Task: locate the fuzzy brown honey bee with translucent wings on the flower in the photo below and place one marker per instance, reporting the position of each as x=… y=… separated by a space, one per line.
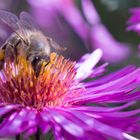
x=26 y=39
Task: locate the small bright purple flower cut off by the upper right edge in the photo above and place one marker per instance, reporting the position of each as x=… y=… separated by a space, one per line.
x=134 y=20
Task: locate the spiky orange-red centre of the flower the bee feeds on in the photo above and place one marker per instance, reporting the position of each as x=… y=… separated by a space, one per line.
x=19 y=83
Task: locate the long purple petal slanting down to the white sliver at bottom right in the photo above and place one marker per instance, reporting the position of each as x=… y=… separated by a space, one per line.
x=91 y=123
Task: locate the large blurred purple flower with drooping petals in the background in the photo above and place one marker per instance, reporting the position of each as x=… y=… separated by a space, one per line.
x=53 y=16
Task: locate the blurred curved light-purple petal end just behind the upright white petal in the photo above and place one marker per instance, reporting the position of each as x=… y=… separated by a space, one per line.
x=102 y=39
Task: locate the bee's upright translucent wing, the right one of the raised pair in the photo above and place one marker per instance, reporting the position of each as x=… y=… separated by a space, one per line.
x=28 y=22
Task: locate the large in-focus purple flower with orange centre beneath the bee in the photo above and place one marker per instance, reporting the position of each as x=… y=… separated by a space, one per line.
x=58 y=99
